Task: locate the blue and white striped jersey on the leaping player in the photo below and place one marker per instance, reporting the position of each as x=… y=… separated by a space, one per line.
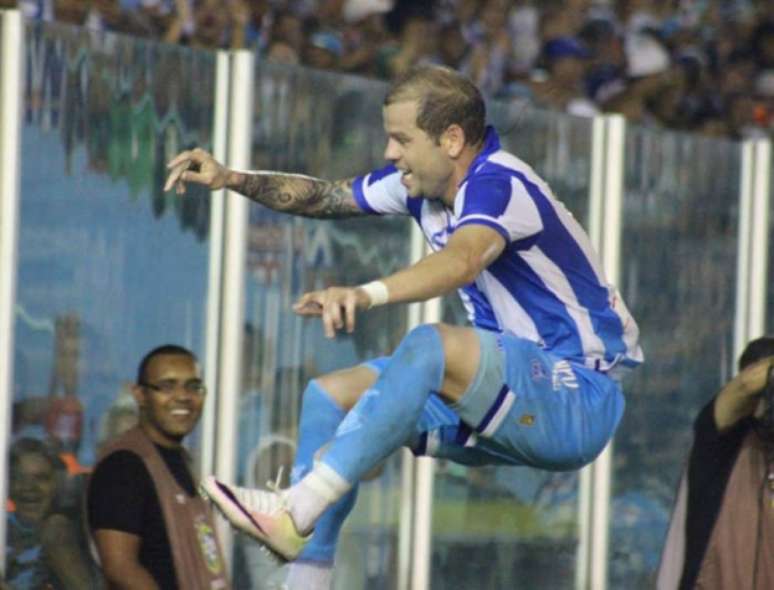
x=547 y=285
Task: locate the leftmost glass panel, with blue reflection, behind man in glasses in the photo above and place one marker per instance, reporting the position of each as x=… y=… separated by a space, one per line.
x=109 y=266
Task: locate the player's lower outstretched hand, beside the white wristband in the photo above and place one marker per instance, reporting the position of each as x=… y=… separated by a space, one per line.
x=336 y=306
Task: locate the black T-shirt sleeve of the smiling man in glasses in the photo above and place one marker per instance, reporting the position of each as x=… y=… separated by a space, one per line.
x=118 y=492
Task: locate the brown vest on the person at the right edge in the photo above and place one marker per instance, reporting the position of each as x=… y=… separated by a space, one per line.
x=741 y=547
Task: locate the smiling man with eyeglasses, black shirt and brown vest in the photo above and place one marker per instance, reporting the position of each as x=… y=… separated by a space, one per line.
x=151 y=529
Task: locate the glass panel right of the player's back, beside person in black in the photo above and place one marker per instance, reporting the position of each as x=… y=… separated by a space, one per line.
x=678 y=278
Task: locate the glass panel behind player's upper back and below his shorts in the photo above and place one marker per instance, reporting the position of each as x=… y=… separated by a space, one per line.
x=515 y=527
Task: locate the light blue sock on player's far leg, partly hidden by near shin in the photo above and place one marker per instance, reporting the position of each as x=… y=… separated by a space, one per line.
x=320 y=417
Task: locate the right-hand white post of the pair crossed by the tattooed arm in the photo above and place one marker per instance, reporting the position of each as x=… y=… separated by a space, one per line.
x=234 y=259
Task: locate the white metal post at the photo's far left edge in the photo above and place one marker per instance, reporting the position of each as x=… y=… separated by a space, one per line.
x=11 y=85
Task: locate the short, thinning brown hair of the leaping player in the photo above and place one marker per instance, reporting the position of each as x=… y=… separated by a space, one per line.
x=445 y=98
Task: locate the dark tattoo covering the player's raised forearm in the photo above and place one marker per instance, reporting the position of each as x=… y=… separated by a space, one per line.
x=301 y=195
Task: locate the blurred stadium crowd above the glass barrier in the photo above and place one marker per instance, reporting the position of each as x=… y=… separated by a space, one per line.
x=698 y=65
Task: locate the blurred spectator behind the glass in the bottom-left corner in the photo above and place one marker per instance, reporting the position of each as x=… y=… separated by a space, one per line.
x=44 y=548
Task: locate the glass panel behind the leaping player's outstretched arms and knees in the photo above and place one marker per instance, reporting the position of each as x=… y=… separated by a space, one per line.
x=327 y=126
